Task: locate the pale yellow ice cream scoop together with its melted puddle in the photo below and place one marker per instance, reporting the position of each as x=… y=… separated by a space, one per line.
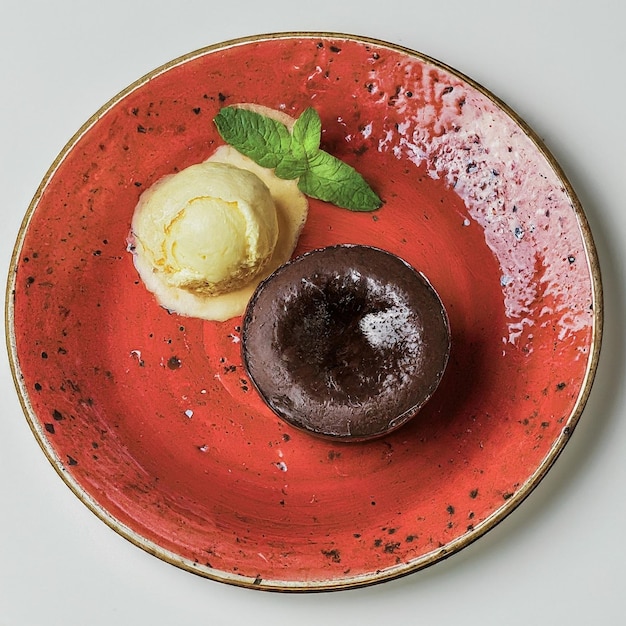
x=204 y=237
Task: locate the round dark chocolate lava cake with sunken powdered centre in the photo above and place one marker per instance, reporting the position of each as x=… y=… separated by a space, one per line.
x=347 y=342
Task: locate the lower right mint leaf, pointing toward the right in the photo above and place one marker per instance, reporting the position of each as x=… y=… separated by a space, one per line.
x=330 y=179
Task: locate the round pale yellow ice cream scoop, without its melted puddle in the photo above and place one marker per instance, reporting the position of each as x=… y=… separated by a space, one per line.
x=208 y=229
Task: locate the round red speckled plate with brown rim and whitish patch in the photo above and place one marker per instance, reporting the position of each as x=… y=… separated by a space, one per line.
x=148 y=416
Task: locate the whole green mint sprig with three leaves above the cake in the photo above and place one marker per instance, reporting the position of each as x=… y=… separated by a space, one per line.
x=297 y=154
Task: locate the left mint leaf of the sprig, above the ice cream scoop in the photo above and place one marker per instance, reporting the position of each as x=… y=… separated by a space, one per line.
x=260 y=138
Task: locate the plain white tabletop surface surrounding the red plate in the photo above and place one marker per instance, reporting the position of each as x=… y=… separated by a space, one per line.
x=559 y=558
